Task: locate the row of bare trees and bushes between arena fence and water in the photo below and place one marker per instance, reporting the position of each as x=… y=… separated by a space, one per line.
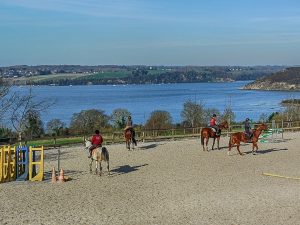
x=24 y=112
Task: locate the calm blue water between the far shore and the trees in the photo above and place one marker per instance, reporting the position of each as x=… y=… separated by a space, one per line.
x=141 y=100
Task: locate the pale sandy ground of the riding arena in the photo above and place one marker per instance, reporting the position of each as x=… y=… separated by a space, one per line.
x=171 y=182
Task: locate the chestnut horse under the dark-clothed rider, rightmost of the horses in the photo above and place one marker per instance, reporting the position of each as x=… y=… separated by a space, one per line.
x=236 y=138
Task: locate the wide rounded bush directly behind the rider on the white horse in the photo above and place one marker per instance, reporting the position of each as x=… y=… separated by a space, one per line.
x=87 y=121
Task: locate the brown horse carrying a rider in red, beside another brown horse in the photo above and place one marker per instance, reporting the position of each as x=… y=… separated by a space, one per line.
x=208 y=132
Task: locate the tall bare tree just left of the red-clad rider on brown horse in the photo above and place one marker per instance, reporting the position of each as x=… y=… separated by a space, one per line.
x=193 y=113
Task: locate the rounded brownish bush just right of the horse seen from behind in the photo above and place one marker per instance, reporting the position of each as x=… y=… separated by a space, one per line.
x=159 y=120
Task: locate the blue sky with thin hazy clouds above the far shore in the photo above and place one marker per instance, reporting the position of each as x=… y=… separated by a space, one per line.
x=150 y=32
